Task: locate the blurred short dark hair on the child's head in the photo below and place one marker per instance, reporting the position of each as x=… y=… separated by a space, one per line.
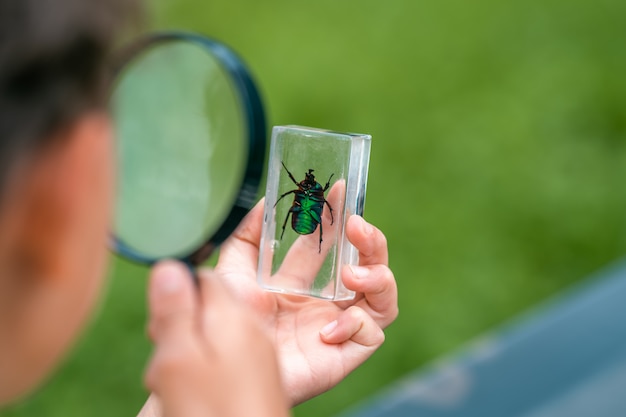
x=53 y=66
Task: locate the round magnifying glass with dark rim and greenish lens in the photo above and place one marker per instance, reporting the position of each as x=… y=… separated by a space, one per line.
x=191 y=137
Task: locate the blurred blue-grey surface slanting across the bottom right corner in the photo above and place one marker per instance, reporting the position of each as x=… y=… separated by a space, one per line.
x=564 y=359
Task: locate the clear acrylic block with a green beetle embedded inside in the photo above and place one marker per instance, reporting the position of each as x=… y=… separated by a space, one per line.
x=303 y=245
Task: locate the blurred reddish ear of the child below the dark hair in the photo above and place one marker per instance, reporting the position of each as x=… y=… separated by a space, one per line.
x=50 y=189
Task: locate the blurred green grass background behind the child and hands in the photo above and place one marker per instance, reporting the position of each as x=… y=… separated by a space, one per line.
x=497 y=168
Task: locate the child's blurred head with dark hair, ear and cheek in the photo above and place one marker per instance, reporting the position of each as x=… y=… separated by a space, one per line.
x=55 y=176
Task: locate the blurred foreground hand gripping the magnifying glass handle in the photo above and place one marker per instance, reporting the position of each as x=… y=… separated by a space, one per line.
x=211 y=357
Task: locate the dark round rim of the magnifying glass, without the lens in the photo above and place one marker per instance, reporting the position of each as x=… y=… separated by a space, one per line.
x=250 y=100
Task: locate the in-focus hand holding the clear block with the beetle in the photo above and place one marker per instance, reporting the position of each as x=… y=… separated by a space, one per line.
x=318 y=342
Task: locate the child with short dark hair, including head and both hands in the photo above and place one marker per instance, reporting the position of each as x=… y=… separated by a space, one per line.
x=232 y=349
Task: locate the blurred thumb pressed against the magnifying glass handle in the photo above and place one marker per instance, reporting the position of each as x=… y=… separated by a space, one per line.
x=173 y=303
